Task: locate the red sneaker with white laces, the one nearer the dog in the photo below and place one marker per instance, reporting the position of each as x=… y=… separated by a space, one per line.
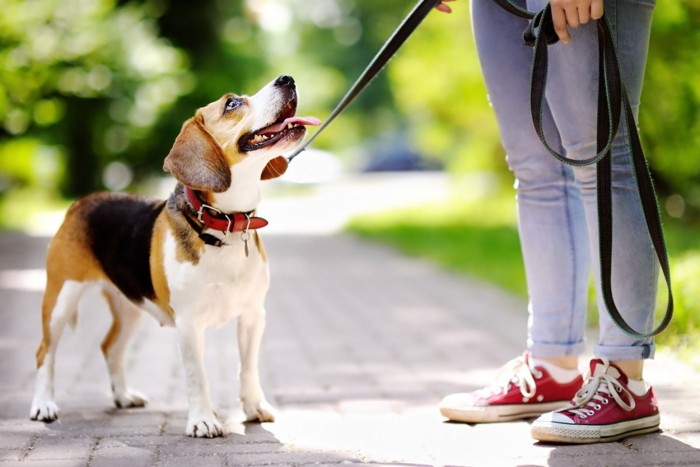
x=522 y=390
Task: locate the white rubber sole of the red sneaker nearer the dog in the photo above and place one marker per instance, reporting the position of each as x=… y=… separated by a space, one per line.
x=500 y=413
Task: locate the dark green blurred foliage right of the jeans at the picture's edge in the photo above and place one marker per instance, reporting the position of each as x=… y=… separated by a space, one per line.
x=670 y=110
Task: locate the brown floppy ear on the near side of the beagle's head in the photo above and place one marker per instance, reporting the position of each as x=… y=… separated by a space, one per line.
x=197 y=160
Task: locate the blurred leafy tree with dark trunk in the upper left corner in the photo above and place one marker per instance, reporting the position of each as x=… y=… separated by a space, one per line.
x=86 y=76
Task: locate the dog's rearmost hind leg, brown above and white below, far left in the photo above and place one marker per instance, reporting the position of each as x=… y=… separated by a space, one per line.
x=59 y=306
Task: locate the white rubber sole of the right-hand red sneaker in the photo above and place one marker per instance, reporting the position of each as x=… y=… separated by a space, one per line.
x=587 y=434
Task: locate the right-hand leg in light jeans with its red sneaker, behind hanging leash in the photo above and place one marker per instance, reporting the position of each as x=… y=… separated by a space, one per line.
x=614 y=403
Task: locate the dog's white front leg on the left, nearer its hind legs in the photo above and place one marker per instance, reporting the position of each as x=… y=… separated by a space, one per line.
x=201 y=419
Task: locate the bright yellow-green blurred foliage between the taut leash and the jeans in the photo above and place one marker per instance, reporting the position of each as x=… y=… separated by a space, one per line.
x=439 y=87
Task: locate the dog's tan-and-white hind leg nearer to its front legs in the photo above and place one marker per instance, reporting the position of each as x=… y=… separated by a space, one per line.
x=125 y=320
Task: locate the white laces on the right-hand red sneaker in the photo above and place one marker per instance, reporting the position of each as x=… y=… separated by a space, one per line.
x=600 y=387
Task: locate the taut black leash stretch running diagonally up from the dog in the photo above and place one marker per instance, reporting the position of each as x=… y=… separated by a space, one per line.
x=395 y=41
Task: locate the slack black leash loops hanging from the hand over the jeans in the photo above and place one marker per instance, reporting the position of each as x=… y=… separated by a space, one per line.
x=612 y=101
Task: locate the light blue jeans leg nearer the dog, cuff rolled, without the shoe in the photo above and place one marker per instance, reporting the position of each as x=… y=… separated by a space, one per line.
x=551 y=219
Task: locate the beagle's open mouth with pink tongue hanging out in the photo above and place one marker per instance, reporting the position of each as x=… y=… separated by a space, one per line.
x=286 y=127
